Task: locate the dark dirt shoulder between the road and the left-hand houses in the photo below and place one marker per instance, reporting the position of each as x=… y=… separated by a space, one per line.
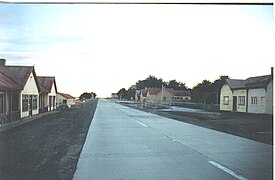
x=48 y=147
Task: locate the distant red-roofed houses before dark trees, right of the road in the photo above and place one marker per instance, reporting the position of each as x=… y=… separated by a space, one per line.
x=162 y=95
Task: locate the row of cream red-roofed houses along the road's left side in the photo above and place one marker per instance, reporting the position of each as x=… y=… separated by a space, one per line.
x=24 y=94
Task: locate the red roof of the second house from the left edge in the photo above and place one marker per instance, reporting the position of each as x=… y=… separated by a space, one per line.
x=46 y=83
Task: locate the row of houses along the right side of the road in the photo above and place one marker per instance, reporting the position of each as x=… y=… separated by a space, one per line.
x=251 y=95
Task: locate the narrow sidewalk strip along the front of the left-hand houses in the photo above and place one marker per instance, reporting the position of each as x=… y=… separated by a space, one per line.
x=20 y=122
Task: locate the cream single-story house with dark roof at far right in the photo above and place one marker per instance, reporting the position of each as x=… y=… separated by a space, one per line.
x=252 y=95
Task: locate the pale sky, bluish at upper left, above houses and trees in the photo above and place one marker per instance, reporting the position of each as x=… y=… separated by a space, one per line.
x=102 y=48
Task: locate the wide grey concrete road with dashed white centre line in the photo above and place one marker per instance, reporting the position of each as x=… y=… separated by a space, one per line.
x=124 y=143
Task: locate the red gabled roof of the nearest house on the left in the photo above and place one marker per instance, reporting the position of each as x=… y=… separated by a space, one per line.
x=18 y=74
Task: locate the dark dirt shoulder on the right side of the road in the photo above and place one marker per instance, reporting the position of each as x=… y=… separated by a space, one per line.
x=252 y=126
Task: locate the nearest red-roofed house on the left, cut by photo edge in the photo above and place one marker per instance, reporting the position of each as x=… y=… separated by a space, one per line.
x=19 y=92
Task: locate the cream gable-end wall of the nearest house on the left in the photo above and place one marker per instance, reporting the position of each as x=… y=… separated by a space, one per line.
x=30 y=89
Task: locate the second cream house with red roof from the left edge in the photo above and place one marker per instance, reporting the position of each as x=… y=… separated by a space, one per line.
x=48 y=93
